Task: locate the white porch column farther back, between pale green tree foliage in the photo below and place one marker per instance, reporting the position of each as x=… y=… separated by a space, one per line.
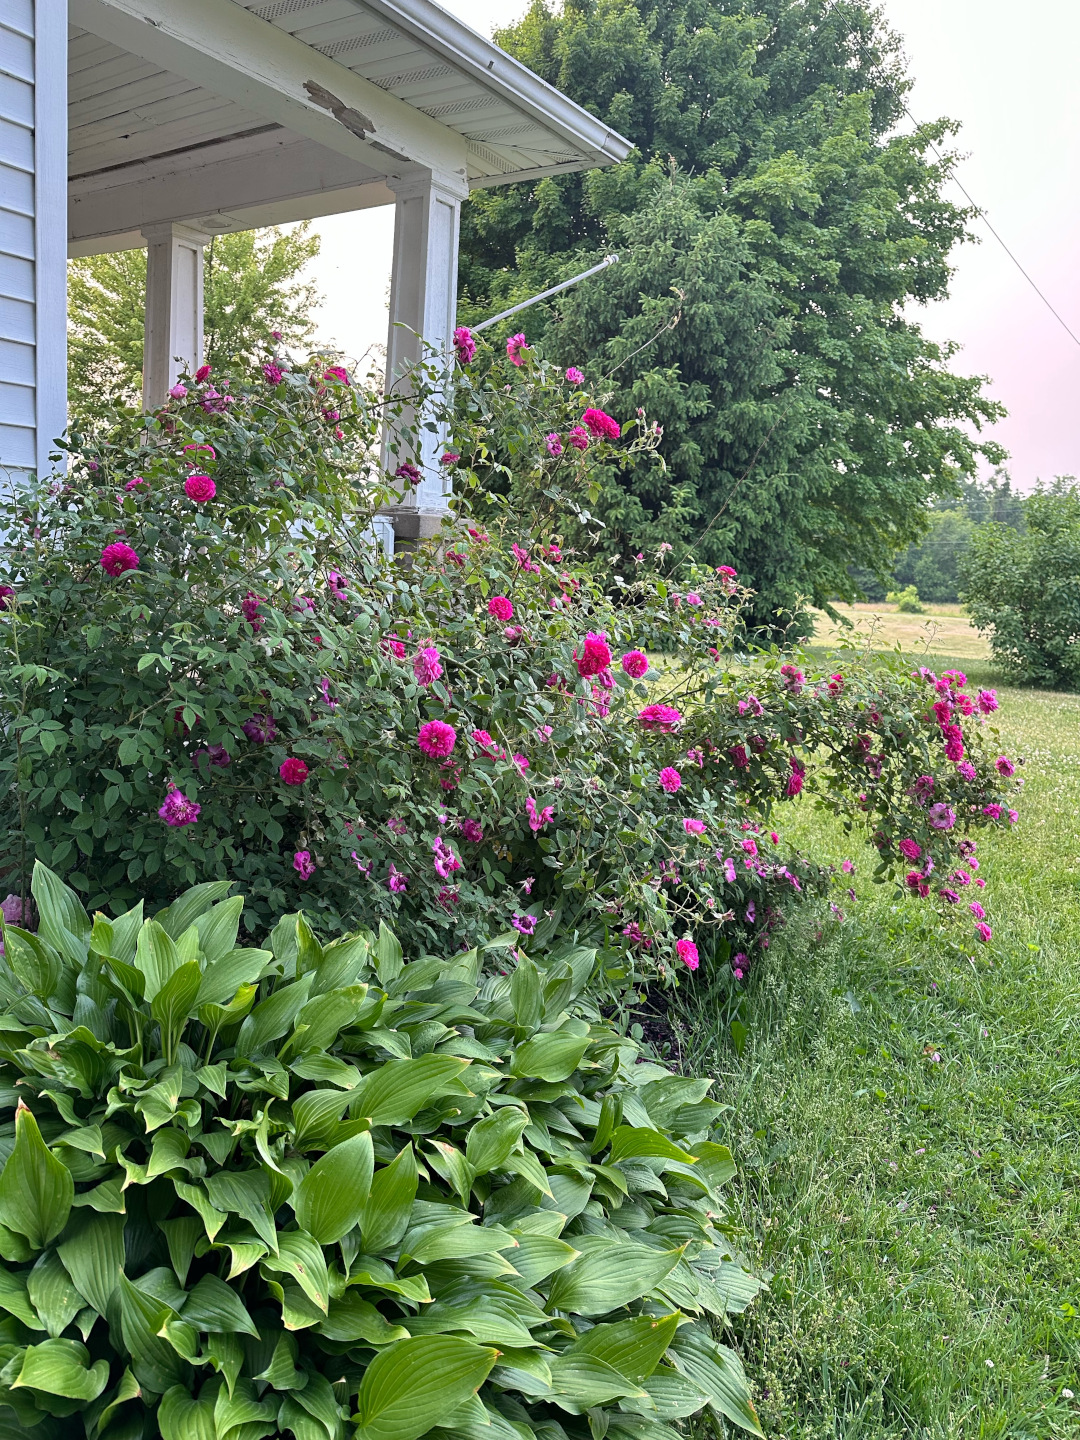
x=174 y=338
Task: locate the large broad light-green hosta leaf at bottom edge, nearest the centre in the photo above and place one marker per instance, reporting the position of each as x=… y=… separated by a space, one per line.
x=414 y=1385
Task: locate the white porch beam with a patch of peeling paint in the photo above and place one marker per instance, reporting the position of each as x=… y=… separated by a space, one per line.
x=246 y=60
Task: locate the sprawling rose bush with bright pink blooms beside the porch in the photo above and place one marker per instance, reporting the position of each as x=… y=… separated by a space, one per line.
x=470 y=744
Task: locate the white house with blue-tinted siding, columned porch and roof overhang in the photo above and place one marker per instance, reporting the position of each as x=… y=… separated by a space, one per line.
x=162 y=123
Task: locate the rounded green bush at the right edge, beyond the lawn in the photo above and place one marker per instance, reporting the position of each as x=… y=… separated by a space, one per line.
x=1023 y=590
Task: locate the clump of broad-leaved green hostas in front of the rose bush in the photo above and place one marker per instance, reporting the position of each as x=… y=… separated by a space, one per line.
x=366 y=1192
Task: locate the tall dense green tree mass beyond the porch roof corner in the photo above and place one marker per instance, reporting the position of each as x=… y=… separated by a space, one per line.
x=781 y=230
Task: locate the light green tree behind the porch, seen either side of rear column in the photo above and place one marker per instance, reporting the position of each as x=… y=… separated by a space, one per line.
x=254 y=284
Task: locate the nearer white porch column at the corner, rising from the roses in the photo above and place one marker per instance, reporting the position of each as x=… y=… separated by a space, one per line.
x=424 y=289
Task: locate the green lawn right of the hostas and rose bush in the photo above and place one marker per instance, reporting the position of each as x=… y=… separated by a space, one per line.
x=906 y=1120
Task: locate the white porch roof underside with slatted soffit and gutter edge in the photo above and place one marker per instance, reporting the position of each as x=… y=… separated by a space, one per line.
x=155 y=117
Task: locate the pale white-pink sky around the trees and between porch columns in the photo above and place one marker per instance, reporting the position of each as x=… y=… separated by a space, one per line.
x=1009 y=77
